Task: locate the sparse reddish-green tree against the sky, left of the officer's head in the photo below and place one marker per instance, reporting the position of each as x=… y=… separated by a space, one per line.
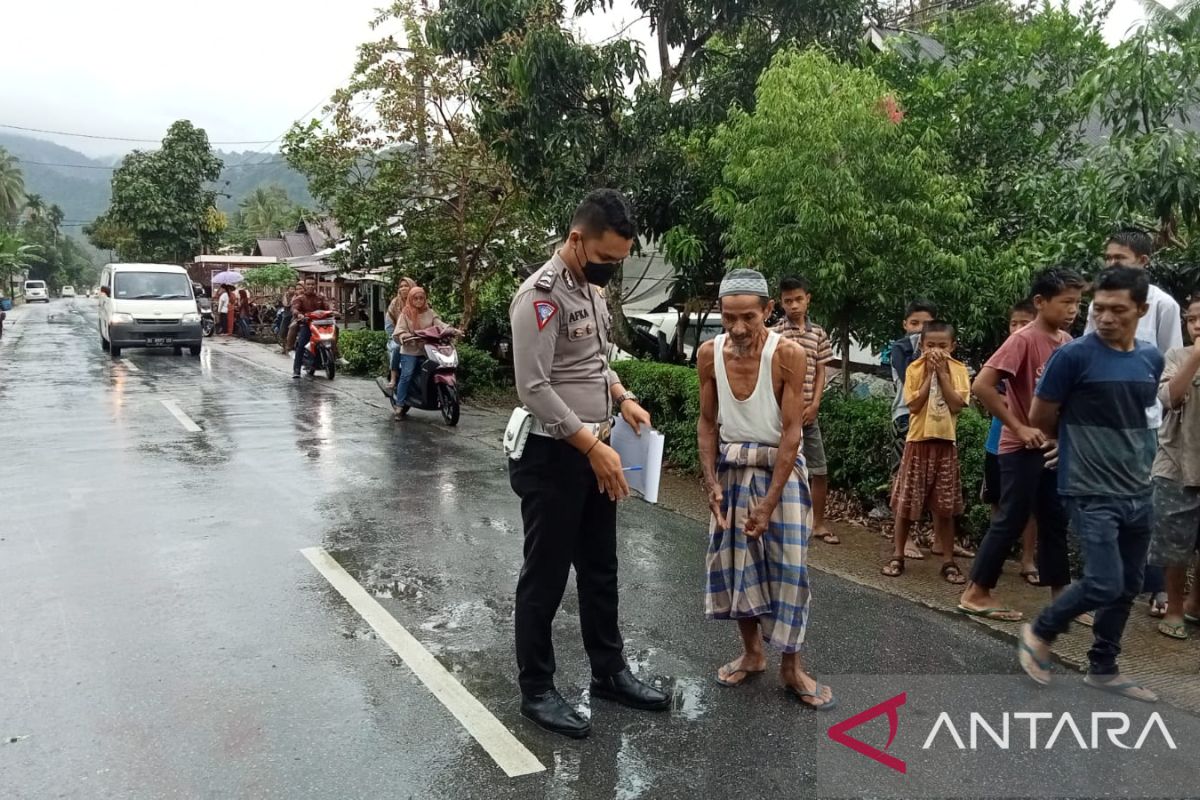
x=415 y=185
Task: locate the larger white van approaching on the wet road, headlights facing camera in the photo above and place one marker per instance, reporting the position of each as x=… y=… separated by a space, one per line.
x=148 y=305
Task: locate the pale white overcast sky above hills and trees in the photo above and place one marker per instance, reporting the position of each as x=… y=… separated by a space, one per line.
x=243 y=70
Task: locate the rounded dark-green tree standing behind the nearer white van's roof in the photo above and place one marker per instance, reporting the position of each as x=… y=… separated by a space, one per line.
x=161 y=204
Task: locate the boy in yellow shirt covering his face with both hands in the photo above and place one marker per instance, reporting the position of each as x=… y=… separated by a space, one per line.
x=937 y=388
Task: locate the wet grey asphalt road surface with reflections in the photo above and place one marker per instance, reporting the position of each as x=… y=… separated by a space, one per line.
x=161 y=636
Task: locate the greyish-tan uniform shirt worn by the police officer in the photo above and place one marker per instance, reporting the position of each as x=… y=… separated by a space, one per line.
x=561 y=328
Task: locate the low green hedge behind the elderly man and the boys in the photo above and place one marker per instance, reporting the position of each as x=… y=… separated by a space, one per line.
x=857 y=435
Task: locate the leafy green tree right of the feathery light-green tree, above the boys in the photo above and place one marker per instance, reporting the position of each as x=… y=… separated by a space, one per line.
x=1005 y=104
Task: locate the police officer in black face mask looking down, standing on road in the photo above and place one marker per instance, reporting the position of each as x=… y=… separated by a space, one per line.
x=569 y=479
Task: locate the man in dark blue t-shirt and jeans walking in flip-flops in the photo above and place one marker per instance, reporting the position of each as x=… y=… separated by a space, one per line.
x=1099 y=399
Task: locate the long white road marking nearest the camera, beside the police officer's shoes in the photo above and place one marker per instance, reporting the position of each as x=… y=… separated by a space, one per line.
x=506 y=750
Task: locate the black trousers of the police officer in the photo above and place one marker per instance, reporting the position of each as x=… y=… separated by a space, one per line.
x=567 y=522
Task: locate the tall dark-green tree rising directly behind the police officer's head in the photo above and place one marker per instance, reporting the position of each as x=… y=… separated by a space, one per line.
x=562 y=113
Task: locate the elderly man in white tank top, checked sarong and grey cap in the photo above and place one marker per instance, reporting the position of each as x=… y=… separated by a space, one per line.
x=752 y=386
